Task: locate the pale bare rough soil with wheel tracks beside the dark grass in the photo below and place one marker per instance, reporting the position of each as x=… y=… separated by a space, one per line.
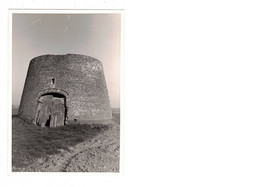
x=98 y=154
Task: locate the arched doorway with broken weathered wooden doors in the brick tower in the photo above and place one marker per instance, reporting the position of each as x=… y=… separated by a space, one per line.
x=51 y=110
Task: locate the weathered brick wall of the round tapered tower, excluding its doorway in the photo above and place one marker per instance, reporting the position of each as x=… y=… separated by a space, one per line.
x=79 y=78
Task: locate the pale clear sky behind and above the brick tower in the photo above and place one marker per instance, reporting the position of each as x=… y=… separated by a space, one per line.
x=96 y=35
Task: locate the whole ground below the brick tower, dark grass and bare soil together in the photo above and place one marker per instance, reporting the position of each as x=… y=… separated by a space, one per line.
x=70 y=147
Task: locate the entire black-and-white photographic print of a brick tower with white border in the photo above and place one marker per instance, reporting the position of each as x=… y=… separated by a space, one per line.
x=66 y=91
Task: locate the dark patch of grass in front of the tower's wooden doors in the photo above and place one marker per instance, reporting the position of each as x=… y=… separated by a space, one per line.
x=30 y=142
